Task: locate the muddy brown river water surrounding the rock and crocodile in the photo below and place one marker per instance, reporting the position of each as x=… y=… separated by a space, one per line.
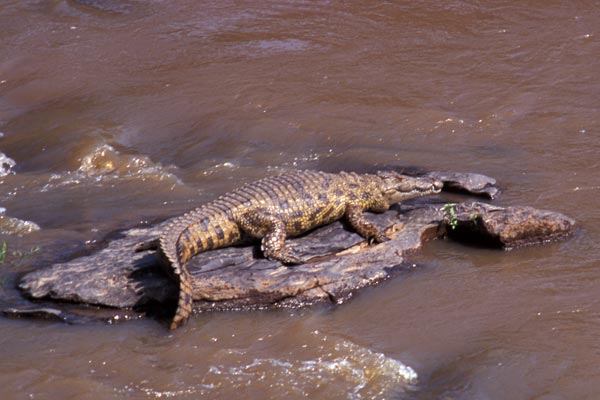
x=113 y=113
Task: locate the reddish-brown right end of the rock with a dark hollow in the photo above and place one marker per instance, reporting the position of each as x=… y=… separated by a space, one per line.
x=508 y=227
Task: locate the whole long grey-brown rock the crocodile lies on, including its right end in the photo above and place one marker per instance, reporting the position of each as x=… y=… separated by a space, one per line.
x=339 y=260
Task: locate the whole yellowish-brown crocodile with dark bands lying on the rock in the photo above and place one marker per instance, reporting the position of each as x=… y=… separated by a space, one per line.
x=275 y=208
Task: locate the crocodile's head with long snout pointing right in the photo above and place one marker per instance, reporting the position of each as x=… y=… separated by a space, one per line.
x=398 y=187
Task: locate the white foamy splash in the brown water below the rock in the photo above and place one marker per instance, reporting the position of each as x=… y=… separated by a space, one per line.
x=356 y=371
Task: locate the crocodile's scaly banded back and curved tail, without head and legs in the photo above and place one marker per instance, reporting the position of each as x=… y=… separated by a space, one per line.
x=301 y=199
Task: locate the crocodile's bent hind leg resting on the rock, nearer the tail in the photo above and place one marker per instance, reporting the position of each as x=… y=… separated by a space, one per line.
x=271 y=229
